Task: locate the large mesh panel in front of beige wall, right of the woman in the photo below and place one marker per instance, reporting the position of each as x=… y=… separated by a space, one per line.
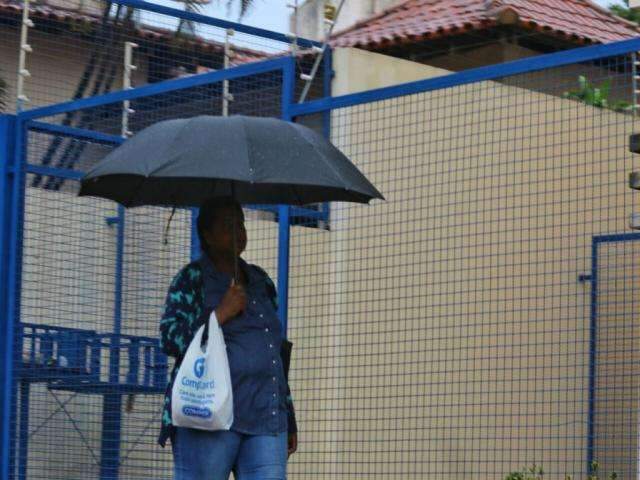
x=444 y=334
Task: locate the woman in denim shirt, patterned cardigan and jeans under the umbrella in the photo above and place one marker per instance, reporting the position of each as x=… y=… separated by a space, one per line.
x=264 y=431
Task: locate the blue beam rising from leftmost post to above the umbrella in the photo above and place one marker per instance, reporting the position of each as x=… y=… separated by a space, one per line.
x=157 y=88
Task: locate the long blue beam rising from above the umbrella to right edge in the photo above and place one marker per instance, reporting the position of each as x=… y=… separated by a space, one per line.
x=491 y=72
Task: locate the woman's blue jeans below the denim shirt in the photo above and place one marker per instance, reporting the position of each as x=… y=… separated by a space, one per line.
x=202 y=455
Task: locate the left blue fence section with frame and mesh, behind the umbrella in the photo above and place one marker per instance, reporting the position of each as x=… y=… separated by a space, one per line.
x=70 y=328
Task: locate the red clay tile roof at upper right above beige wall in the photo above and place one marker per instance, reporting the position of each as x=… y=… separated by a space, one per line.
x=414 y=20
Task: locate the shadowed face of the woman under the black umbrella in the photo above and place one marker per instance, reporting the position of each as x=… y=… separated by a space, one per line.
x=219 y=236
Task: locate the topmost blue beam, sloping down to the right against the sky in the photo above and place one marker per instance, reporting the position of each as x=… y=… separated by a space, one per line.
x=215 y=22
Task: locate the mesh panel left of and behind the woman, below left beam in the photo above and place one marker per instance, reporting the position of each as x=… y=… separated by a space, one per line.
x=90 y=375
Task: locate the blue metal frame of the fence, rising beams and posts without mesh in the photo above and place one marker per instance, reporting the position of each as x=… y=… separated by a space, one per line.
x=14 y=169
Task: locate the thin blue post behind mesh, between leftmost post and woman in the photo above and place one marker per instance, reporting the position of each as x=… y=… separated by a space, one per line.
x=112 y=402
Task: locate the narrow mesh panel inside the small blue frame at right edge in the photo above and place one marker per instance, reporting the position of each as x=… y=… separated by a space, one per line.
x=615 y=324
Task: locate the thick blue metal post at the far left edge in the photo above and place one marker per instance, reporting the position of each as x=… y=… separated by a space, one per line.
x=7 y=155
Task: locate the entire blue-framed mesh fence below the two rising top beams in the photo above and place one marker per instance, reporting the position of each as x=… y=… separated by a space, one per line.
x=440 y=335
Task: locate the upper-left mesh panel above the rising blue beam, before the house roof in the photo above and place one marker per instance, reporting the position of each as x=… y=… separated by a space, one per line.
x=78 y=49
